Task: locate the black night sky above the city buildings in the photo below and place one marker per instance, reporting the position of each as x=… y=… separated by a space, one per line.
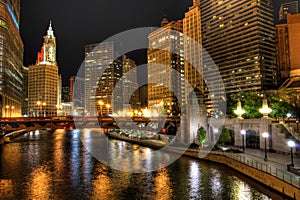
x=77 y=23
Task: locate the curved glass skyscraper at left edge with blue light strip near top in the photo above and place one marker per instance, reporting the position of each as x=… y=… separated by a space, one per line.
x=11 y=59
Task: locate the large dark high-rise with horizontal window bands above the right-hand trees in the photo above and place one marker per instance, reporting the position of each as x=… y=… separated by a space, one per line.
x=240 y=38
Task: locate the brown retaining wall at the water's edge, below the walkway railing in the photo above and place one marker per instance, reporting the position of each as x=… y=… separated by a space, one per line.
x=262 y=177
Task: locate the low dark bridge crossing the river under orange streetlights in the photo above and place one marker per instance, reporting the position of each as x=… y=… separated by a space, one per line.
x=163 y=124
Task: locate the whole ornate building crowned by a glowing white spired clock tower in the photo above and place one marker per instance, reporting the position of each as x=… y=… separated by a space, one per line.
x=43 y=80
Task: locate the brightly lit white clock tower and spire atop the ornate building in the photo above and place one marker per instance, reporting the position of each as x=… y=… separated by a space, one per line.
x=47 y=55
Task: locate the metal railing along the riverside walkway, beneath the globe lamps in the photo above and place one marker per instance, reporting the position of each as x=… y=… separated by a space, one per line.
x=286 y=176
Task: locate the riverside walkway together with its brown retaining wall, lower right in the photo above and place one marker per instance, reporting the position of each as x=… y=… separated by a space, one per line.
x=272 y=173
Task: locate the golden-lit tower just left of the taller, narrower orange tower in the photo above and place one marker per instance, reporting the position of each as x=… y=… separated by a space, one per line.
x=162 y=45
